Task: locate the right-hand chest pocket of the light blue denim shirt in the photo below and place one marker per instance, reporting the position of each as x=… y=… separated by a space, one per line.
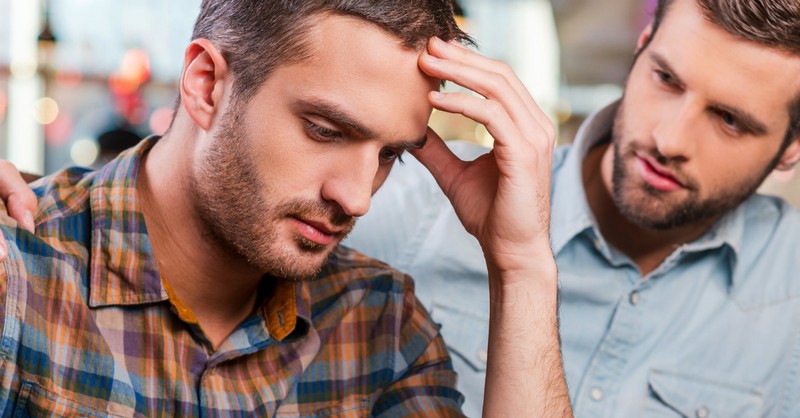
x=680 y=395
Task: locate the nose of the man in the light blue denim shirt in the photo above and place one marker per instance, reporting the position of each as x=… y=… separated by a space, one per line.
x=676 y=130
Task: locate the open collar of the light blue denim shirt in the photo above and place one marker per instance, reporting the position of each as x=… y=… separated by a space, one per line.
x=574 y=215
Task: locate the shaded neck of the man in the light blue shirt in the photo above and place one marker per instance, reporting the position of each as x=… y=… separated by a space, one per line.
x=647 y=248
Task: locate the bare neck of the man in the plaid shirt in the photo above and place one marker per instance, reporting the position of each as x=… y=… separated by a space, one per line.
x=220 y=287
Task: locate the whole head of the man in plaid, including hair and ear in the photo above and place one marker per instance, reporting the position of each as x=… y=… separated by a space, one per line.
x=299 y=122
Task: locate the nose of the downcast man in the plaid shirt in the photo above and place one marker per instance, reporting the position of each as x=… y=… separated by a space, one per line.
x=353 y=181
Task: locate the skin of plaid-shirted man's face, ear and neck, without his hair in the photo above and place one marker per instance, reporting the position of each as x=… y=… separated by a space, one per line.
x=336 y=177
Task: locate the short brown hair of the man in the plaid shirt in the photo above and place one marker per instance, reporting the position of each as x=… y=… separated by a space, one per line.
x=257 y=36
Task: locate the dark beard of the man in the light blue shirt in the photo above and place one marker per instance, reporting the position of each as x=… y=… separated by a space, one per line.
x=657 y=210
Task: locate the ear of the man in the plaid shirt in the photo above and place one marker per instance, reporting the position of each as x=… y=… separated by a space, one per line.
x=203 y=80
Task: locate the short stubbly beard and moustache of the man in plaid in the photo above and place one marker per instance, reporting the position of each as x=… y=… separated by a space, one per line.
x=243 y=215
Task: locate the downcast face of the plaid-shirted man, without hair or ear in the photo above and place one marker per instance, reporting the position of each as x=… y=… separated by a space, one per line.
x=286 y=175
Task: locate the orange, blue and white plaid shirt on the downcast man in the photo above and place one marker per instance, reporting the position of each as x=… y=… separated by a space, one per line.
x=89 y=328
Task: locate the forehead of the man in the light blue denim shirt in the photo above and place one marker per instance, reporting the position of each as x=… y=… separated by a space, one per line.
x=726 y=68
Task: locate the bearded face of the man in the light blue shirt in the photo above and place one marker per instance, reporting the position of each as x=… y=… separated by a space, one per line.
x=701 y=124
